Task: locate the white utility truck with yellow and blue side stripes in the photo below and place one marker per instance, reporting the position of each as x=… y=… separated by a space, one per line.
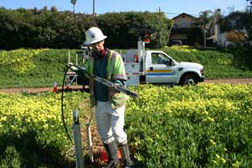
x=156 y=67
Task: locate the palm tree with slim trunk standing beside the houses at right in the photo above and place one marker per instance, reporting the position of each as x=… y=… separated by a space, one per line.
x=205 y=18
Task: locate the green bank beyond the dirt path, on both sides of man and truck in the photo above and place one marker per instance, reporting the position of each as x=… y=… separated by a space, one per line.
x=43 y=67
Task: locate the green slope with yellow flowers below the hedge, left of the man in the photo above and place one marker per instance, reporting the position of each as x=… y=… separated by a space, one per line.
x=32 y=68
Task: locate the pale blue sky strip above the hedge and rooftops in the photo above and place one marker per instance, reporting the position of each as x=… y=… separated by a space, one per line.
x=172 y=8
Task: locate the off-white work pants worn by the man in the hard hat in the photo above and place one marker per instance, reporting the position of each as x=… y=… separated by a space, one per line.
x=110 y=123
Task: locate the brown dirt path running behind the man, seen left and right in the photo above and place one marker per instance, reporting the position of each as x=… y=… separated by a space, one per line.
x=37 y=90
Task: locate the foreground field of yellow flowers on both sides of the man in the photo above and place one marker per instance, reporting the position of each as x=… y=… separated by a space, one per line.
x=207 y=125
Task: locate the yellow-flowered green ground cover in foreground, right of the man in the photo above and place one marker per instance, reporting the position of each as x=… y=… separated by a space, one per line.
x=203 y=126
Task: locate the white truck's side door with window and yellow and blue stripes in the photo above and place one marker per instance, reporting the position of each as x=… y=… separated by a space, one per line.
x=160 y=69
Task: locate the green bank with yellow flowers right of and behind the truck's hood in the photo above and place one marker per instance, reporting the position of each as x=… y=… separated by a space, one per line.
x=217 y=63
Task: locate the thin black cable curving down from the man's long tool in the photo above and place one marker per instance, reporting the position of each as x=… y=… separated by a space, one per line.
x=62 y=104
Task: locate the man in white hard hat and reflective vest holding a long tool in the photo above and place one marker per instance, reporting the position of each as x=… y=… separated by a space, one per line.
x=109 y=104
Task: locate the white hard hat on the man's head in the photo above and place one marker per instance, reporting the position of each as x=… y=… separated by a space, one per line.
x=94 y=35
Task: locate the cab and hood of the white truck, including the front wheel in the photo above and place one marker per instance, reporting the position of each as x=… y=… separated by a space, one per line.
x=161 y=68
